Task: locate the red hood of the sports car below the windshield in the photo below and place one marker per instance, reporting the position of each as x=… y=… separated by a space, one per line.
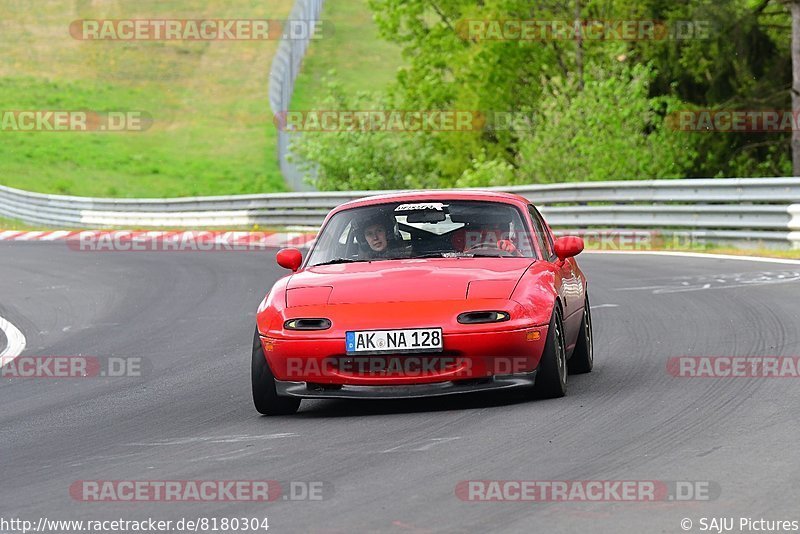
x=406 y=281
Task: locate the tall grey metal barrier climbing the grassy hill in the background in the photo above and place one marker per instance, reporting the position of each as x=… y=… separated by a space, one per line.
x=283 y=73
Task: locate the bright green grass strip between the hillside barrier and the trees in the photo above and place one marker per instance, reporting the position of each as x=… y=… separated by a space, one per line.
x=362 y=61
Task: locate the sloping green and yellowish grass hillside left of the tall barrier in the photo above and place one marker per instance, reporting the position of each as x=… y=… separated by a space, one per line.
x=212 y=131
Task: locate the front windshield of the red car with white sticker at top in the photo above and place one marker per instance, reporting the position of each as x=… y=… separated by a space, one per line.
x=423 y=229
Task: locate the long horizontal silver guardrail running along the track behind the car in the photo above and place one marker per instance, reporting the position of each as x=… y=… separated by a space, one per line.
x=741 y=209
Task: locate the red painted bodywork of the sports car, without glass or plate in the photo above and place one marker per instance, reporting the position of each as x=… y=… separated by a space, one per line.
x=421 y=293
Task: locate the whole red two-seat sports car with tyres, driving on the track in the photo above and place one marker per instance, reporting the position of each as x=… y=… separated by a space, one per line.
x=423 y=294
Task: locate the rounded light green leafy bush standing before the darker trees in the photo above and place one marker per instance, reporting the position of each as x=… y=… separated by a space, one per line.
x=609 y=130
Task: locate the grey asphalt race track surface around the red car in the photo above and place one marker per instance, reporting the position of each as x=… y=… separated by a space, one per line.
x=393 y=466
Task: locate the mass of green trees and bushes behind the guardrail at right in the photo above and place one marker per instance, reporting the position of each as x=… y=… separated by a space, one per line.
x=743 y=64
